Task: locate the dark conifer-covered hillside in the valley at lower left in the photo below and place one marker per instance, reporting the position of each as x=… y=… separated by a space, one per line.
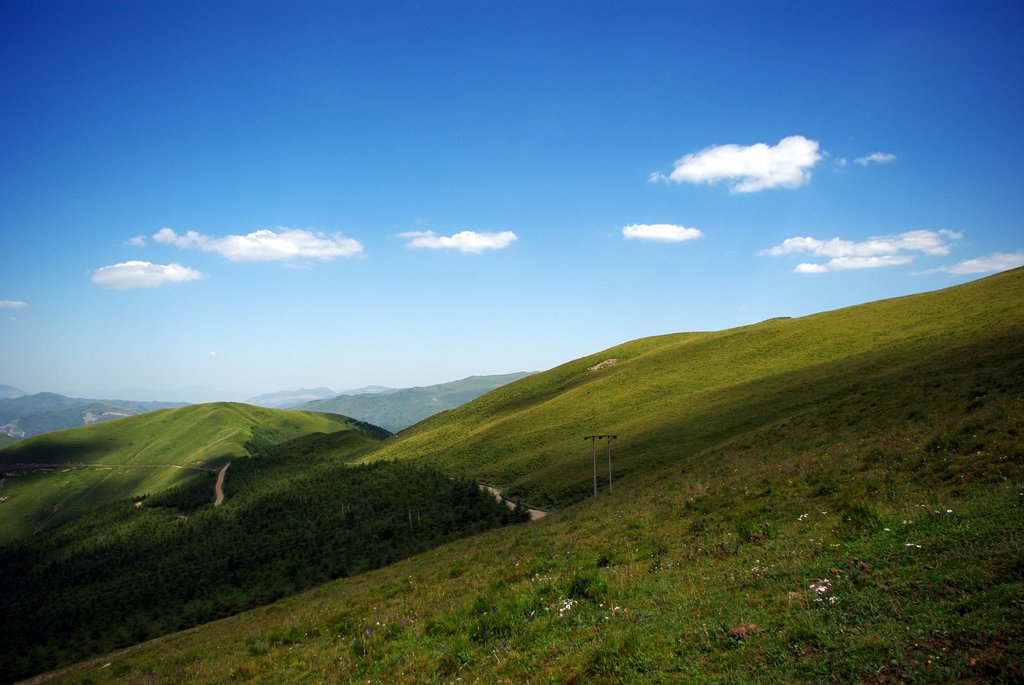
x=294 y=517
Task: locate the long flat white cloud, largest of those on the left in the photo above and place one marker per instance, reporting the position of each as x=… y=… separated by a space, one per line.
x=267 y=245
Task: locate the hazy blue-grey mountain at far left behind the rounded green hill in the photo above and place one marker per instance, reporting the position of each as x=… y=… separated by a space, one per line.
x=25 y=416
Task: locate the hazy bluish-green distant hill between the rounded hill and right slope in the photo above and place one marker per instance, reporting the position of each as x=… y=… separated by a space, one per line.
x=401 y=409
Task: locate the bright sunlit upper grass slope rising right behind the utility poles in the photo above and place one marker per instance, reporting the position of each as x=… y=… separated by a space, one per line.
x=674 y=396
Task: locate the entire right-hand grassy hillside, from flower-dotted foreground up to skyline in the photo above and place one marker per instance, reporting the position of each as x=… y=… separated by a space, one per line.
x=877 y=449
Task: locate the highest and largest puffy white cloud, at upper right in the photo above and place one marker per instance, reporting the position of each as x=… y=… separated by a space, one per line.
x=749 y=169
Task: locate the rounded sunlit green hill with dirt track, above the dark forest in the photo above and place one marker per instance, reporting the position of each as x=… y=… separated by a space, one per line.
x=135 y=456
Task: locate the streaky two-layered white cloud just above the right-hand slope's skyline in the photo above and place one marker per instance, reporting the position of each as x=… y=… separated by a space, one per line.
x=874 y=253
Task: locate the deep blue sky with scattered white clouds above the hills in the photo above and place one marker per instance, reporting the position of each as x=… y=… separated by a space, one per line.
x=259 y=196
